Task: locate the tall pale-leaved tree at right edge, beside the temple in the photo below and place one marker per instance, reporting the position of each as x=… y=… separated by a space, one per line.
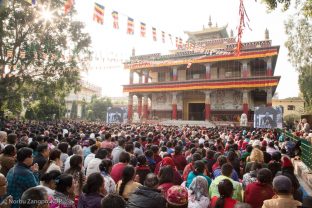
x=299 y=43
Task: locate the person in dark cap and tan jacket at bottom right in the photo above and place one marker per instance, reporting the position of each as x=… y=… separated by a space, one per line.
x=283 y=189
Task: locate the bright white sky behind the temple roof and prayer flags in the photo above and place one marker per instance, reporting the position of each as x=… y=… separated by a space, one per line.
x=111 y=47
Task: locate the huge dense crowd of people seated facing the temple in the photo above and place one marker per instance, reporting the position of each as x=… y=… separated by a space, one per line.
x=79 y=164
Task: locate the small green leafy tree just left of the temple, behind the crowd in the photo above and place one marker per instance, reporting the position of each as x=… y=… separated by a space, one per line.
x=97 y=109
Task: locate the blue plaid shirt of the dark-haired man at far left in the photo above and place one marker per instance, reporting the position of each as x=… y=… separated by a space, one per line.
x=20 y=178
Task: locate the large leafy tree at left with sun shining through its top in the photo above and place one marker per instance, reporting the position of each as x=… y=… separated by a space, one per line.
x=38 y=52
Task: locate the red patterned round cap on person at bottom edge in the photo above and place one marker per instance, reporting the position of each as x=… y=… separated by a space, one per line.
x=177 y=197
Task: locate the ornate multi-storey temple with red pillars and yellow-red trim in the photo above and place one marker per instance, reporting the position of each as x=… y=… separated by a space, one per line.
x=205 y=79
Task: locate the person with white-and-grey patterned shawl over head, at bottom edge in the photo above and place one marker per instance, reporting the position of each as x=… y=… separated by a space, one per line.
x=198 y=193
